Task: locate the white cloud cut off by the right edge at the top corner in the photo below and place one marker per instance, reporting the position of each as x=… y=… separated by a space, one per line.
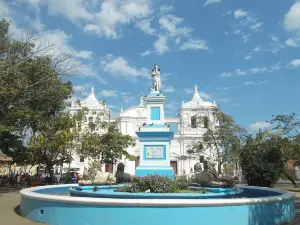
x=292 y=18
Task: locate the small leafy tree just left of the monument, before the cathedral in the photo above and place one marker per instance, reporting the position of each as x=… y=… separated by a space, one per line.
x=107 y=147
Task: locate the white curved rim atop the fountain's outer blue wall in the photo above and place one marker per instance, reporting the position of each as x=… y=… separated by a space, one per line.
x=31 y=194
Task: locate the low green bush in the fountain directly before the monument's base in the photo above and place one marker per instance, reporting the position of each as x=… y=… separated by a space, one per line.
x=154 y=183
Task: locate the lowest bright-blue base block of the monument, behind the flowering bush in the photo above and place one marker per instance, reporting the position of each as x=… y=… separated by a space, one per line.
x=142 y=171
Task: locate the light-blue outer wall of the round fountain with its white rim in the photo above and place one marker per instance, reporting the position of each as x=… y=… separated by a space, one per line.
x=47 y=204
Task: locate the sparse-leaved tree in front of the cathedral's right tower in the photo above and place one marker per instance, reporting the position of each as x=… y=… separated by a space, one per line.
x=222 y=134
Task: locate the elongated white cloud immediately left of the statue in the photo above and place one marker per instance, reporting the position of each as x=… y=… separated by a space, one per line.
x=119 y=66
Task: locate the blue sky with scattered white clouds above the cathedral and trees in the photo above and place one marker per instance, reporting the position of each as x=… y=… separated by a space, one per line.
x=243 y=54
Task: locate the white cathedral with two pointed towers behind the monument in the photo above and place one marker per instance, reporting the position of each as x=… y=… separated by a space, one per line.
x=186 y=127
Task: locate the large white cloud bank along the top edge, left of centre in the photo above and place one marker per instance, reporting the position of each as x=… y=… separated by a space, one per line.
x=103 y=19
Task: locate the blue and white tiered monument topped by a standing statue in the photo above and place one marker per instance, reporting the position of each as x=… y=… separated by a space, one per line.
x=155 y=136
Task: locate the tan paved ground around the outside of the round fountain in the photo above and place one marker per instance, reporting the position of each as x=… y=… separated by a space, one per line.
x=10 y=199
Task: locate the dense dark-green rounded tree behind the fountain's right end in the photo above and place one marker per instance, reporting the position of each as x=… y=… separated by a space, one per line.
x=262 y=158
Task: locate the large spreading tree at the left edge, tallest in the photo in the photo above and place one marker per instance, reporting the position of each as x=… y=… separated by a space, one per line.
x=32 y=84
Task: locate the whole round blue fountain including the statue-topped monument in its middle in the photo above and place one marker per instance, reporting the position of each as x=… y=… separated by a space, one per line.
x=110 y=205
